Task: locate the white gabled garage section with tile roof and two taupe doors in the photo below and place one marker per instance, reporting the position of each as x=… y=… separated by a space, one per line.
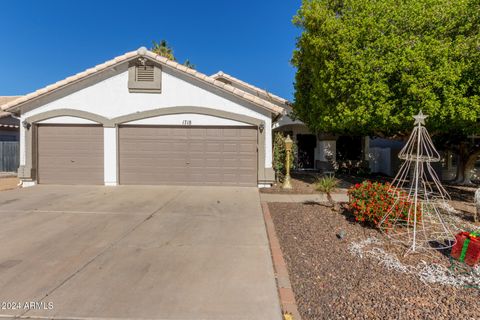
x=143 y=119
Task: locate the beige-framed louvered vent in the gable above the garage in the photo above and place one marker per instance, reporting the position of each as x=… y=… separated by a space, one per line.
x=144 y=77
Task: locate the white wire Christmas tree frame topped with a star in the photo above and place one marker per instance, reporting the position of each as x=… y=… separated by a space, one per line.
x=416 y=217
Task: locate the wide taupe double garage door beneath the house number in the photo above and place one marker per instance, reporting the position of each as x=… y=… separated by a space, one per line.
x=188 y=155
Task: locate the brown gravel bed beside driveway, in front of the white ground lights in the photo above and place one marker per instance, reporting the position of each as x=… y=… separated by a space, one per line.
x=331 y=283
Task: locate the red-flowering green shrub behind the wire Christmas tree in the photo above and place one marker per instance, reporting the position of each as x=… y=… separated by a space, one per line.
x=370 y=201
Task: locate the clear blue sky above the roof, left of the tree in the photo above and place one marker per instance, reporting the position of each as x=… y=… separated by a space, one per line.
x=46 y=41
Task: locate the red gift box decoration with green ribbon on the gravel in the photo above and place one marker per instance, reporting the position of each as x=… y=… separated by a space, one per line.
x=467 y=248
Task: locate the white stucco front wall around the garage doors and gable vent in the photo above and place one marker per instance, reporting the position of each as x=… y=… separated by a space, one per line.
x=111 y=98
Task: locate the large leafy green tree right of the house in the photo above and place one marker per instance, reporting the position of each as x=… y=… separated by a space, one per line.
x=364 y=67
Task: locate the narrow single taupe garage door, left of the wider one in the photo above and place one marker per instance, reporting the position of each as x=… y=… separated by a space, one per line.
x=70 y=154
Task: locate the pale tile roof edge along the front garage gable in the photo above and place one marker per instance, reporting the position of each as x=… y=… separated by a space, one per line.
x=162 y=60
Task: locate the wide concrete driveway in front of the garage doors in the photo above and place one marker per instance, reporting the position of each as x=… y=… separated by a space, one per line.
x=135 y=252
